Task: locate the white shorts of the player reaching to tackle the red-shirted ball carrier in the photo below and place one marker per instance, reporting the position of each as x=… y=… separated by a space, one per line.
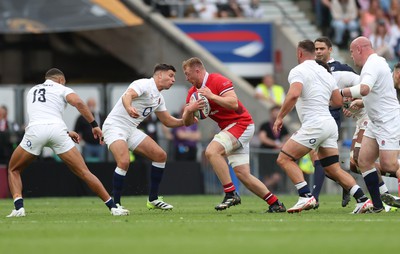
x=132 y=135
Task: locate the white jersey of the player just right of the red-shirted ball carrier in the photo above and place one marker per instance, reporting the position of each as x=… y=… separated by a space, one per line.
x=318 y=84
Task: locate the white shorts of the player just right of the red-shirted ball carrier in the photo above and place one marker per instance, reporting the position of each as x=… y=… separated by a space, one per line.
x=320 y=134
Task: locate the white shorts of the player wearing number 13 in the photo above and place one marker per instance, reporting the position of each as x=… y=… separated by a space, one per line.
x=53 y=136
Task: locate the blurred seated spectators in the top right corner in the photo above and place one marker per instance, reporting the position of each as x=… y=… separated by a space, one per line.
x=378 y=20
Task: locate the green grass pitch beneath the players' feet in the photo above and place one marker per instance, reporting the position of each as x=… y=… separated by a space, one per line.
x=83 y=225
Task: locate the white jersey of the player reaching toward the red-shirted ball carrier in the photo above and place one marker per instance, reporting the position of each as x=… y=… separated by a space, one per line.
x=149 y=100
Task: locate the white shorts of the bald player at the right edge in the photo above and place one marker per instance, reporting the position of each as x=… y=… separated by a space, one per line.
x=387 y=134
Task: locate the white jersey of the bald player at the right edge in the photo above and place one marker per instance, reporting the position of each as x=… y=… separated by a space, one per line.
x=381 y=103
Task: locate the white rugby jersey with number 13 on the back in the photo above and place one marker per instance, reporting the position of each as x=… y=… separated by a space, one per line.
x=46 y=103
